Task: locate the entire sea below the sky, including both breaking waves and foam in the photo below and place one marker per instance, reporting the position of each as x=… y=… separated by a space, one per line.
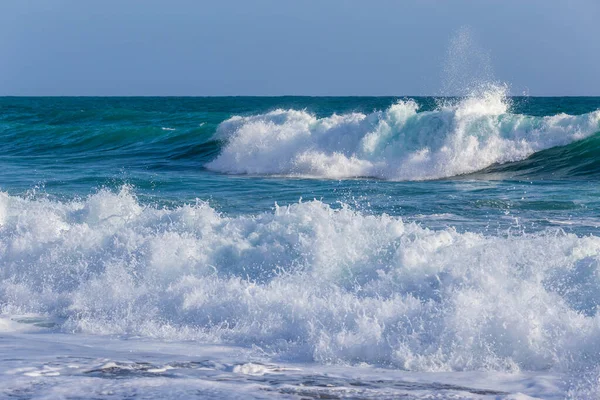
x=300 y=247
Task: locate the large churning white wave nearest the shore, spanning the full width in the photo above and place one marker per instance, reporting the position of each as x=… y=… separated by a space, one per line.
x=305 y=282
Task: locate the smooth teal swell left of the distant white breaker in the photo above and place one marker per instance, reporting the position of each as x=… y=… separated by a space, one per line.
x=107 y=133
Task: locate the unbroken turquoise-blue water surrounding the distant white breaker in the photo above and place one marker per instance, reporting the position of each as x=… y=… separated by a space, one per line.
x=71 y=147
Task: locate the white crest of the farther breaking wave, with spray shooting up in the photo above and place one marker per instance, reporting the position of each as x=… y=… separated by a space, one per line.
x=400 y=143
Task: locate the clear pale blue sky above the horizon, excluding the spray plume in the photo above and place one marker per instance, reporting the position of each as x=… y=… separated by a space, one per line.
x=295 y=47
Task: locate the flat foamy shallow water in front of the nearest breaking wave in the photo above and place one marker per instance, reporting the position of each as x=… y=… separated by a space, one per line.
x=35 y=366
